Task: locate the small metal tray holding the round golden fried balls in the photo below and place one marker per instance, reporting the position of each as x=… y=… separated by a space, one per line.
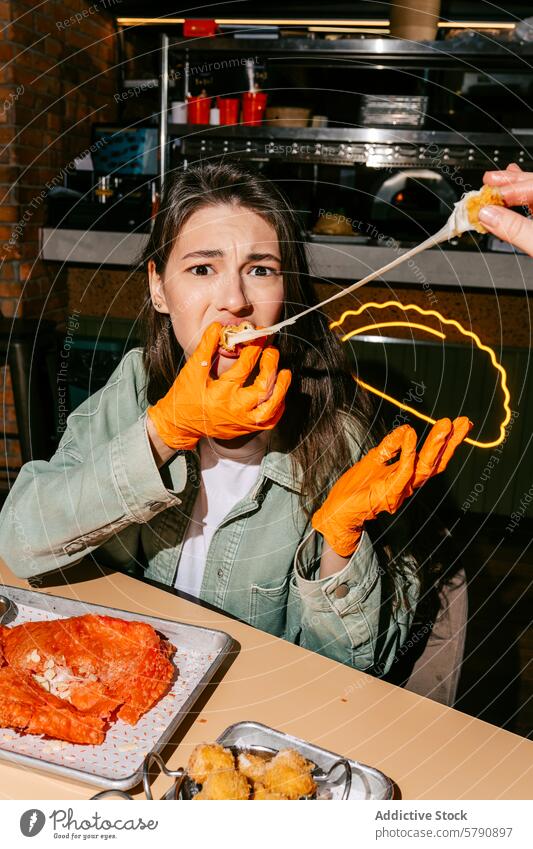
x=367 y=782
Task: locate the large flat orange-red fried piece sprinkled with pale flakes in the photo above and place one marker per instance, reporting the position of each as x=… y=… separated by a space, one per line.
x=91 y=666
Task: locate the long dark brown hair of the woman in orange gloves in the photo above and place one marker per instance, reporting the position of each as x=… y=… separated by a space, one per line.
x=314 y=426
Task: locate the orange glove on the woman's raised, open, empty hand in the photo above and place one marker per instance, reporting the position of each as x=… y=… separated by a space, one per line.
x=374 y=484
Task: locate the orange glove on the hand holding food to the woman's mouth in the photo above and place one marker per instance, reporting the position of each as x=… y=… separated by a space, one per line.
x=198 y=405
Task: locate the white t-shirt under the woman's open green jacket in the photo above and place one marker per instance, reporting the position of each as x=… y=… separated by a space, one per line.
x=227 y=476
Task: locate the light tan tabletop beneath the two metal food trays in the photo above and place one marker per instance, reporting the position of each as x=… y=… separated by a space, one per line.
x=430 y=751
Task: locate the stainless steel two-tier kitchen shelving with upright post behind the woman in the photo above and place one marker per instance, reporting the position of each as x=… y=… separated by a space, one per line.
x=463 y=54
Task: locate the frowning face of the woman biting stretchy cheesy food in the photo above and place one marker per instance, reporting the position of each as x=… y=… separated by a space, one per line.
x=224 y=266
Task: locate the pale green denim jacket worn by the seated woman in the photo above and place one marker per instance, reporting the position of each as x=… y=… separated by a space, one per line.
x=102 y=492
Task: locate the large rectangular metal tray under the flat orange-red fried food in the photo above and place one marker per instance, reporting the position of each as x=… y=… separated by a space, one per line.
x=117 y=763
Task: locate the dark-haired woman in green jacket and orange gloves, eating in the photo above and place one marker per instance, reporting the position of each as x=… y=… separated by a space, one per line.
x=217 y=475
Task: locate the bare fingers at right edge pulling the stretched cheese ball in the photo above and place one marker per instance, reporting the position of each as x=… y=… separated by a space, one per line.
x=517 y=190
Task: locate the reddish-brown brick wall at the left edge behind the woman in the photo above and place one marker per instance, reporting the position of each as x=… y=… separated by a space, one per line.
x=57 y=77
